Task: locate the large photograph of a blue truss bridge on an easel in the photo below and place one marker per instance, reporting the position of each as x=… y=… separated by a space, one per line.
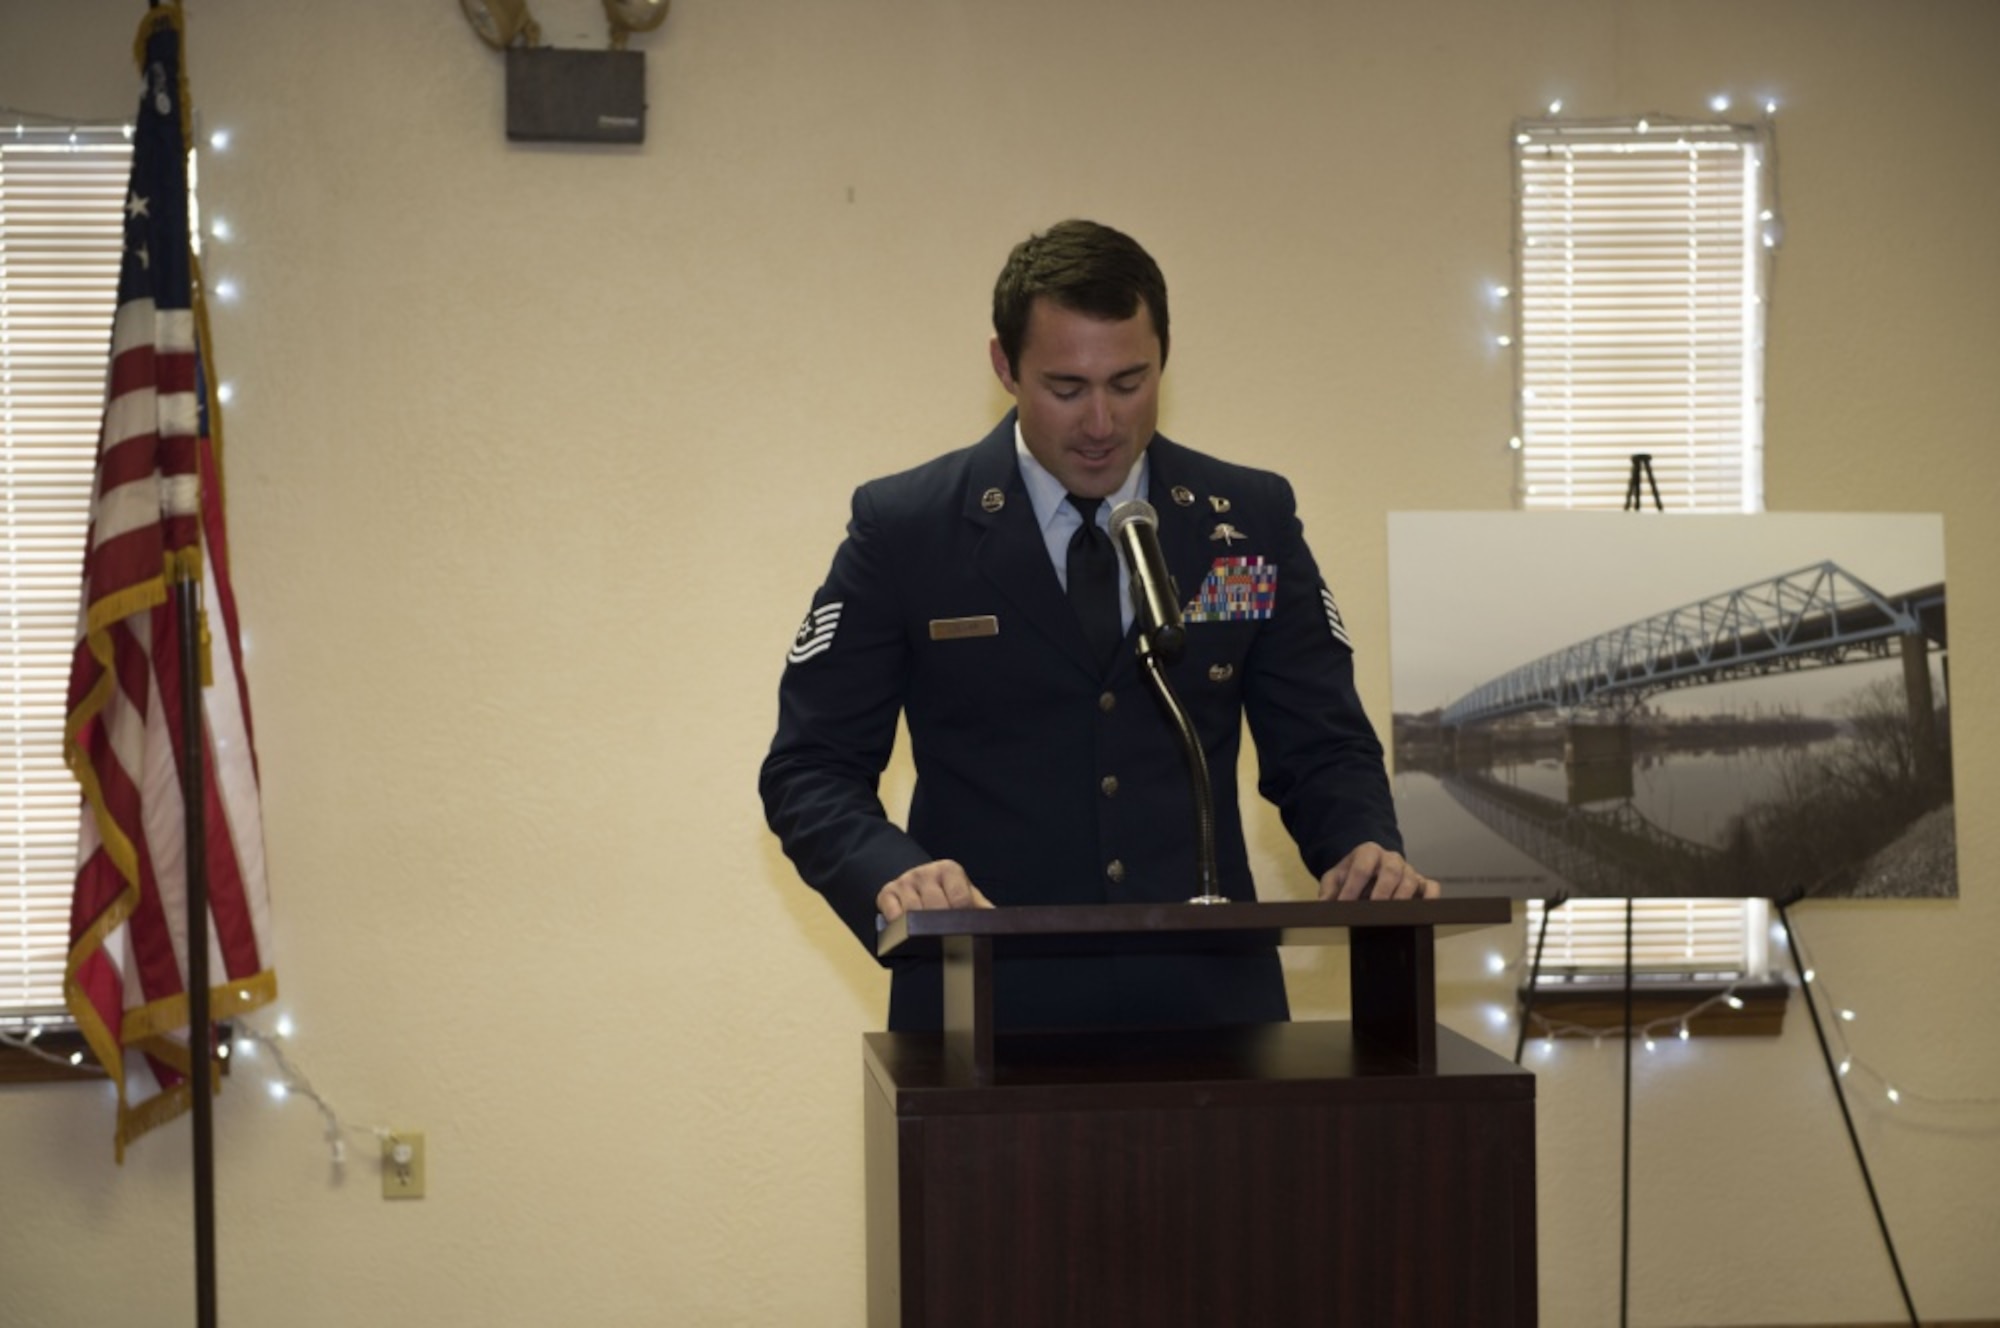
x=1641 y=705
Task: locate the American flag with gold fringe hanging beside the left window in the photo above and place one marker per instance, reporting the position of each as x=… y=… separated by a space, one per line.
x=155 y=521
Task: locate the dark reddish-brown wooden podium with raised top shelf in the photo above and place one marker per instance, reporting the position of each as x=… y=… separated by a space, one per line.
x=1369 y=1173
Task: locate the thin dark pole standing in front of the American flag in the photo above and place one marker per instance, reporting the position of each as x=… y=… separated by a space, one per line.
x=201 y=1053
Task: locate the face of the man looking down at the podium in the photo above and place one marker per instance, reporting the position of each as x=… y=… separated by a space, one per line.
x=1089 y=395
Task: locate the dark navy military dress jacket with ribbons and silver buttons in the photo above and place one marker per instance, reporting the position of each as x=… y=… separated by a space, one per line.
x=1047 y=775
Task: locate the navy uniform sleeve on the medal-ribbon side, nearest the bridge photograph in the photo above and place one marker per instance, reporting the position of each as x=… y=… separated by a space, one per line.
x=1319 y=757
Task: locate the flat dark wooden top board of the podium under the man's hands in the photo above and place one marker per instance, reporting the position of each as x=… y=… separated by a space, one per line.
x=1289 y=923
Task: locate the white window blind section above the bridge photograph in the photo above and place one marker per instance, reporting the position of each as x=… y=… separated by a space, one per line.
x=1641 y=303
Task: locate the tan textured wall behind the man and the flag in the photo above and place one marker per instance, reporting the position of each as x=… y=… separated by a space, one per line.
x=539 y=453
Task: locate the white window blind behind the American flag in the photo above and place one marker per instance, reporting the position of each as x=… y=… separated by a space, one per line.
x=61 y=237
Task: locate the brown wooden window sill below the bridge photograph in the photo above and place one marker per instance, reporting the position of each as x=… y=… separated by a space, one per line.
x=1595 y=1007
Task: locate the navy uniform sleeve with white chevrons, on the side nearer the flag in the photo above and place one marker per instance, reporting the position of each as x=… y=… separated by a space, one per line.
x=837 y=727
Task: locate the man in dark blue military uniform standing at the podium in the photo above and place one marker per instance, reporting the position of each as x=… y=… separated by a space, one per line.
x=1047 y=773
